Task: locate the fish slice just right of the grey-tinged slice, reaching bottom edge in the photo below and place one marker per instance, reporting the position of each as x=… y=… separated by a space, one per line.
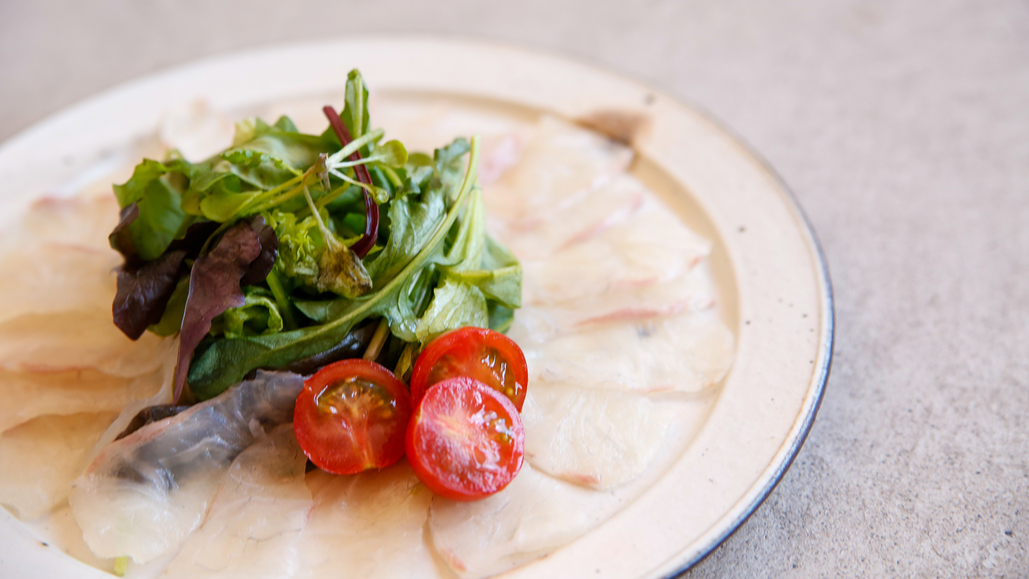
x=255 y=525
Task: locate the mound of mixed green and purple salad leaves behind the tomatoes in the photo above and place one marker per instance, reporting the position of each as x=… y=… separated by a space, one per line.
x=291 y=250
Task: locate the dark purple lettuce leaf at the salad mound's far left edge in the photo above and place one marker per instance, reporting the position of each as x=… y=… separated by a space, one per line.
x=144 y=293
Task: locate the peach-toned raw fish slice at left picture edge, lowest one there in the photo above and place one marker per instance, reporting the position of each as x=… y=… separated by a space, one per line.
x=41 y=458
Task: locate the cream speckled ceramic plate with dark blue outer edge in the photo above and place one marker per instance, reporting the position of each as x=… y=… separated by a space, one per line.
x=773 y=283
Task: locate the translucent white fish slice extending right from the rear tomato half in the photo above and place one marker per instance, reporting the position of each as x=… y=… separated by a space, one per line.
x=685 y=353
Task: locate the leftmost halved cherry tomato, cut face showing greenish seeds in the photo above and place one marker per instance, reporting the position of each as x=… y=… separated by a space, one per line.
x=351 y=417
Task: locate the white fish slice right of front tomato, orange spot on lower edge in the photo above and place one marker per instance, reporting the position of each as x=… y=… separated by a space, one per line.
x=597 y=439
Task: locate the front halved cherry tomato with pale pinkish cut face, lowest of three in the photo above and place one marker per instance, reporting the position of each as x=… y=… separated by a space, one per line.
x=466 y=441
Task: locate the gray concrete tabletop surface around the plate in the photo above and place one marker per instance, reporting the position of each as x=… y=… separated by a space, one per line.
x=904 y=129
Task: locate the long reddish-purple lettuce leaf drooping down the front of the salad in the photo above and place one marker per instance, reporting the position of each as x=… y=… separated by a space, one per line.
x=215 y=286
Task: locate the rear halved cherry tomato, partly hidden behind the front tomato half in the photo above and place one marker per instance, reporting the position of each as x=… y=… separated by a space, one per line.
x=485 y=355
